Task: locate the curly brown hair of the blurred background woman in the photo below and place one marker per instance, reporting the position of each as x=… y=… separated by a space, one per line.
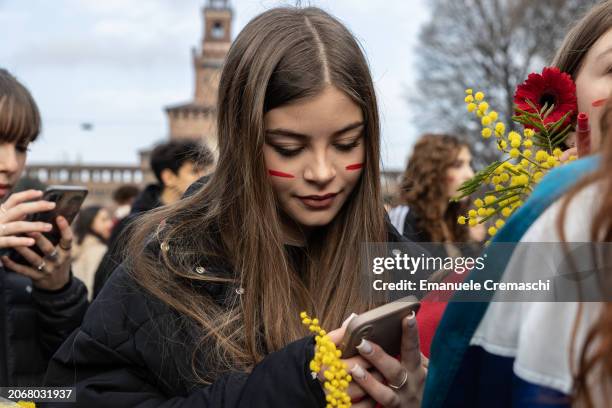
x=423 y=187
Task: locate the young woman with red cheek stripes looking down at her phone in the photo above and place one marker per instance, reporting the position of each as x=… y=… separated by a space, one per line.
x=205 y=310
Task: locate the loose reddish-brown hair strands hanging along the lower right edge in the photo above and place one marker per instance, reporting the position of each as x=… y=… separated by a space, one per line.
x=596 y=354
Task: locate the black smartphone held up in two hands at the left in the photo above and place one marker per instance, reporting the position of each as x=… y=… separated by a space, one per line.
x=68 y=200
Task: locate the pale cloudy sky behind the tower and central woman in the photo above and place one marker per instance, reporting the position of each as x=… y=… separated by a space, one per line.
x=117 y=63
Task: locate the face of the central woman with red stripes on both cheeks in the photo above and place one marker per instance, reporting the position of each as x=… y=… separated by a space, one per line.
x=314 y=153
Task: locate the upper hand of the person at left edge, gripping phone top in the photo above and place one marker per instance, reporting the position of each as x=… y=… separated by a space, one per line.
x=13 y=213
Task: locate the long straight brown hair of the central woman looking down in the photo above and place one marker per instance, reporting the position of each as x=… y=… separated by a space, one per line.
x=281 y=56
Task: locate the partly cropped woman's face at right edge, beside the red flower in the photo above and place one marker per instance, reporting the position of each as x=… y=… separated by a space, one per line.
x=594 y=83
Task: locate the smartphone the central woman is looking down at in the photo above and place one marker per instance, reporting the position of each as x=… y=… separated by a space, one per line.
x=382 y=325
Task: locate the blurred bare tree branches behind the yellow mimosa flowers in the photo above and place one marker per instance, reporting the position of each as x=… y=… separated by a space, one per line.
x=487 y=44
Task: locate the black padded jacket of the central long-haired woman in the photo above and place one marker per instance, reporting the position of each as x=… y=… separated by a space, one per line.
x=118 y=359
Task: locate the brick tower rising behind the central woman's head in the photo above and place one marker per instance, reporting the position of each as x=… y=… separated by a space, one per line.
x=197 y=119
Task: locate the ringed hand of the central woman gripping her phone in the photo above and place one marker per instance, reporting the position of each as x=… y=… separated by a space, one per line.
x=405 y=379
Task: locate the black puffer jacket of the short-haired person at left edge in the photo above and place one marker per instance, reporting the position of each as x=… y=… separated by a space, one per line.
x=33 y=324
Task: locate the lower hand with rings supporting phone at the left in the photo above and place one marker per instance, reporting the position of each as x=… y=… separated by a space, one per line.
x=51 y=272
